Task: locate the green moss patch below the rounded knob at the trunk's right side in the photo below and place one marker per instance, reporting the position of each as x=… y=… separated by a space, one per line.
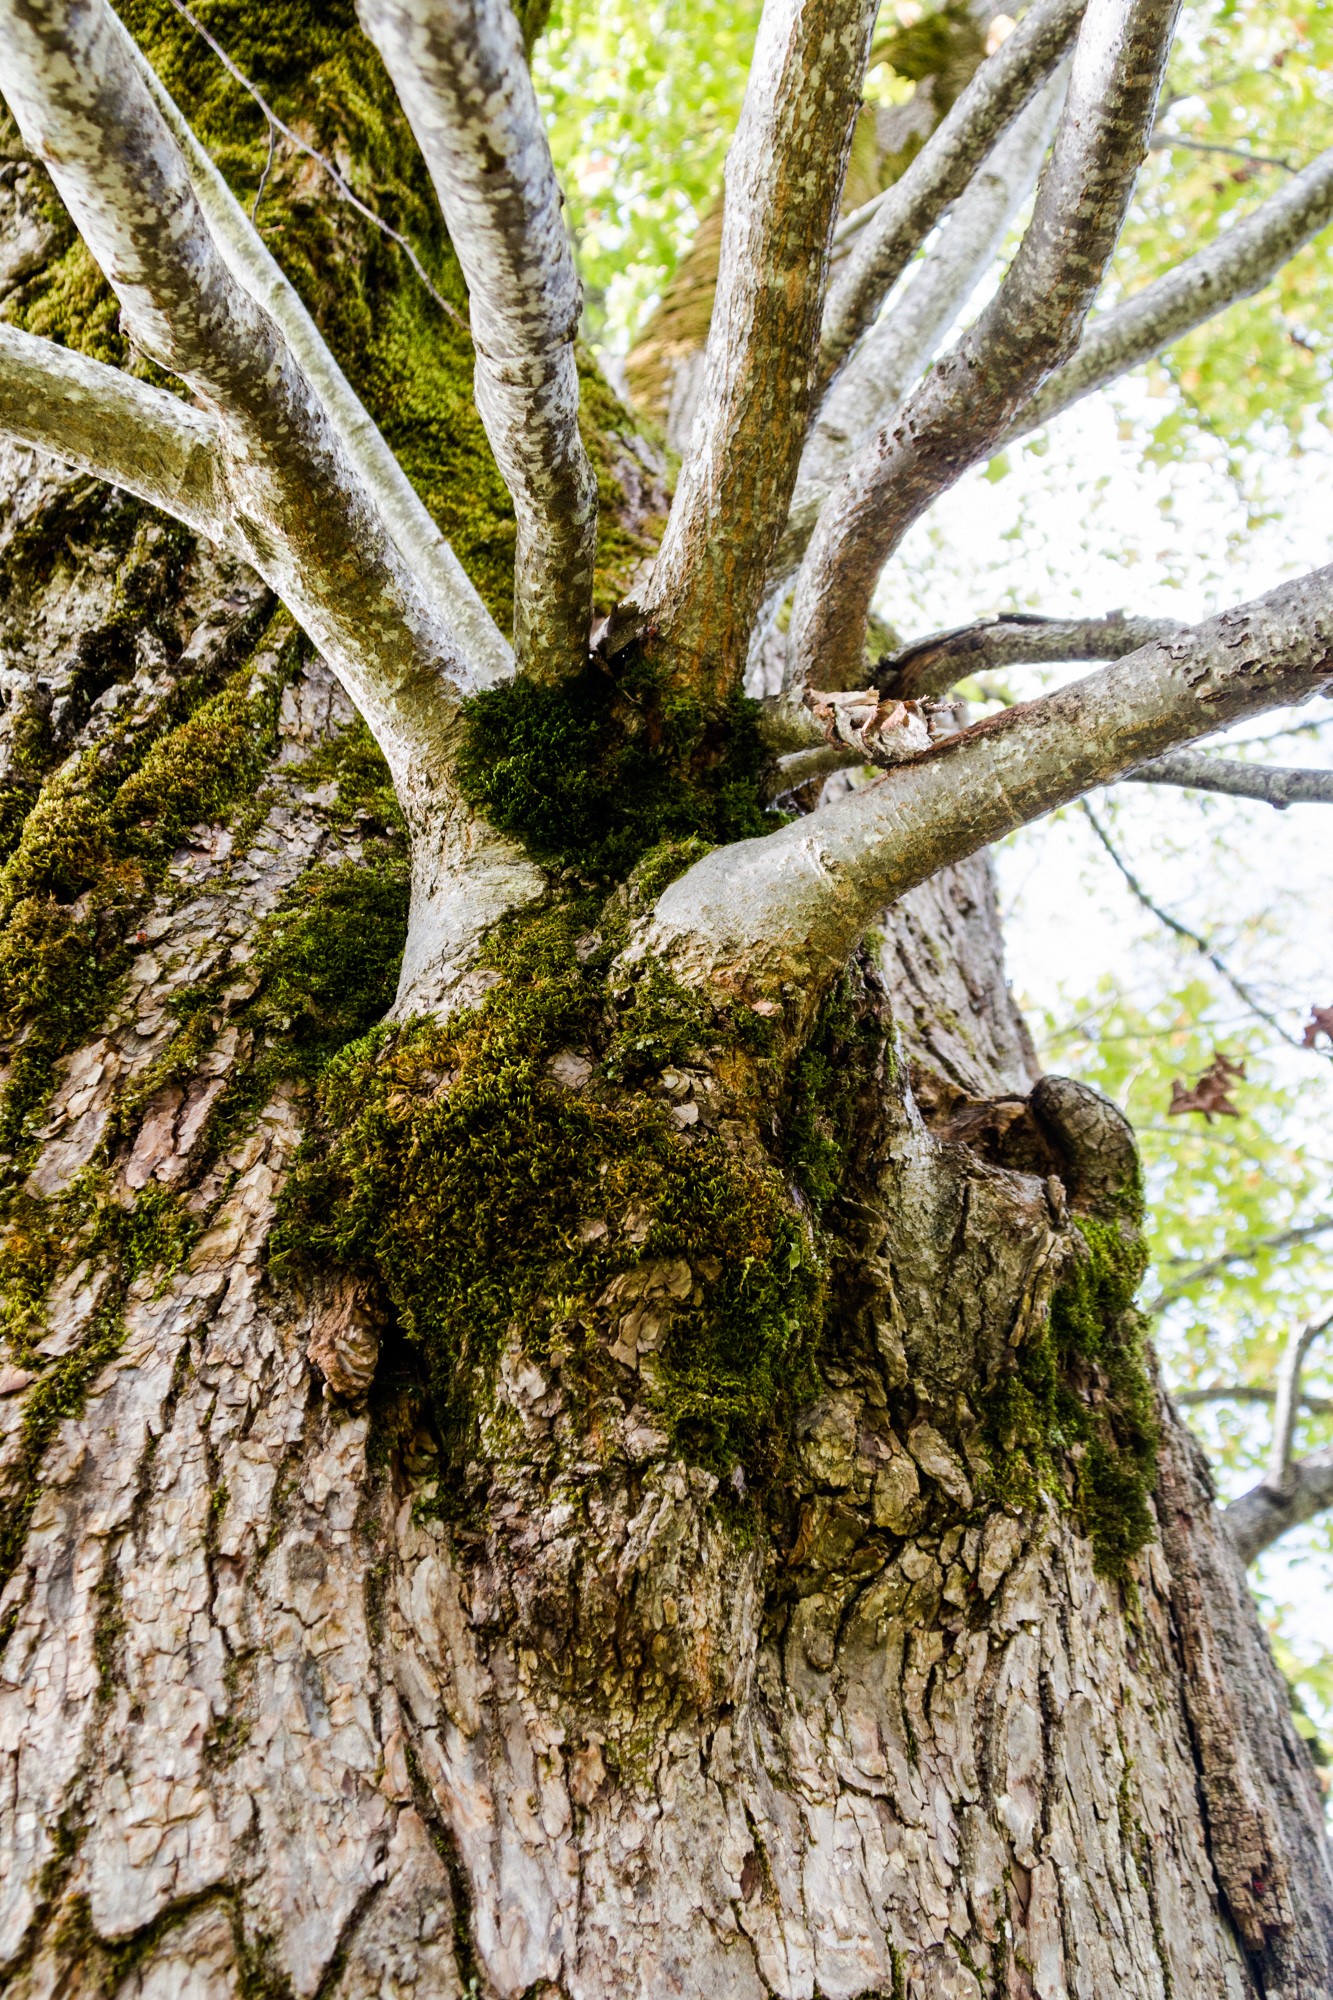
x=1082 y=1395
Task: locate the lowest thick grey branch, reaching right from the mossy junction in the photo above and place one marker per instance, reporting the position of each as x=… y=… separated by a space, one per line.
x=786 y=911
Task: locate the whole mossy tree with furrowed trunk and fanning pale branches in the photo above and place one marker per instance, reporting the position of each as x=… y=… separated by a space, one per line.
x=730 y=1539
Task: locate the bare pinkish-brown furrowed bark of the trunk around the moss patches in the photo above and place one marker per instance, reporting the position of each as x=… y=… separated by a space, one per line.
x=267 y=1731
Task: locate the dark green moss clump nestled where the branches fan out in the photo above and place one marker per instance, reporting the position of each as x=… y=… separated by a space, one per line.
x=595 y=771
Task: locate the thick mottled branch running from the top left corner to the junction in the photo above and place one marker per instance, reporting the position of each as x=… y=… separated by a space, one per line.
x=299 y=509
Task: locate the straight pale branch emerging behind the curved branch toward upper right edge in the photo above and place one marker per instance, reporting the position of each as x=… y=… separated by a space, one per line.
x=1236 y=265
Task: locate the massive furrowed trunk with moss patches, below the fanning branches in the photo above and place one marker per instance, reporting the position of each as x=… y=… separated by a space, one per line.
x=347 y=1661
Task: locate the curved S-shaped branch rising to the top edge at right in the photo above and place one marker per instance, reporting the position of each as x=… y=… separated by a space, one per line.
x=1030 y=329
